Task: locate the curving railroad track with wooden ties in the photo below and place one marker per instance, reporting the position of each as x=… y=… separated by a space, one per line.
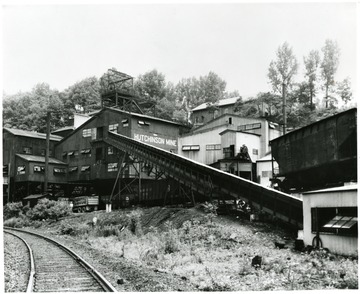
x=56 y=268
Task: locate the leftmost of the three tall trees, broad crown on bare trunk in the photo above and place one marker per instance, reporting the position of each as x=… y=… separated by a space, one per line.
x=281 y=73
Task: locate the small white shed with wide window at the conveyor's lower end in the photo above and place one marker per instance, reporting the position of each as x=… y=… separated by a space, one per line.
x=330 y=219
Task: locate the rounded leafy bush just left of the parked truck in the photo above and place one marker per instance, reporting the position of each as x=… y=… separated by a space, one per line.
x=48 y=209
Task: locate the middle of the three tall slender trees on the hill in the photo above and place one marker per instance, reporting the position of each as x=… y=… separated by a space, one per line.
x=312 y=62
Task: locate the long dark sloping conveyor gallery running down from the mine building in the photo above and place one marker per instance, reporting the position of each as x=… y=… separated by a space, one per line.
x=210 y=181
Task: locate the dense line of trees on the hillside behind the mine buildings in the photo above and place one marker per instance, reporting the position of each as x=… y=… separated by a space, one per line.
x=316 y=96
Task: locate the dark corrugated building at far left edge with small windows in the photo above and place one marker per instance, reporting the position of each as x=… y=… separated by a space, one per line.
x=24 y=163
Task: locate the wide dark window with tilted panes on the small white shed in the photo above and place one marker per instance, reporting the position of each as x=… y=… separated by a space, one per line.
x=334 y=220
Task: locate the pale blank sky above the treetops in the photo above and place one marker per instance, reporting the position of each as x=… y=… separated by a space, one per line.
x=63 y=44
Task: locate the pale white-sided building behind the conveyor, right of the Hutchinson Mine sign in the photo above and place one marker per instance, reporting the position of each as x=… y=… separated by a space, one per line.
x=231 y=143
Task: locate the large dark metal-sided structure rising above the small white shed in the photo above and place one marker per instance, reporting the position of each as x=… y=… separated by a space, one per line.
x=316 y=144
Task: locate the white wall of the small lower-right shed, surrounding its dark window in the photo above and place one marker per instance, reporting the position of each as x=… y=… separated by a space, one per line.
x=335 y=197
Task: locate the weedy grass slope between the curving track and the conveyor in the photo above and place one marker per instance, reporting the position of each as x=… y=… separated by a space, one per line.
x=211 y=254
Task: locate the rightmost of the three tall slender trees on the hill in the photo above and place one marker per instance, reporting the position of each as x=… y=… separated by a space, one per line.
x=329 y=67
